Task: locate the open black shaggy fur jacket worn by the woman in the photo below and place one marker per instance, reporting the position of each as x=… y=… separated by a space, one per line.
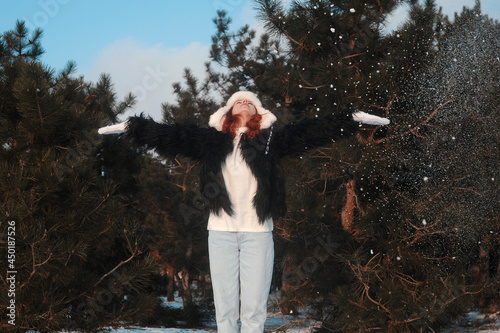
x=262 y=154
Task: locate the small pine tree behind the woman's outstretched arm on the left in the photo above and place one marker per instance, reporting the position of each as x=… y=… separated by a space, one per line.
x=177 y=218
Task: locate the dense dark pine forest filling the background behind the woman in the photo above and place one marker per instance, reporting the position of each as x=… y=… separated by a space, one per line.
x=395 y=230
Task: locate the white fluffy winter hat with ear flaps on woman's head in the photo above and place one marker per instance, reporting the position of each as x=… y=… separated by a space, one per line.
x=217 y=119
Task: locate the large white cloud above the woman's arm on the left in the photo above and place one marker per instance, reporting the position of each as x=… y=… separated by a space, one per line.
x=148 y=72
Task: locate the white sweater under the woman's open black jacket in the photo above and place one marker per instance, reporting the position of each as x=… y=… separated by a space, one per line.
x=241 y=186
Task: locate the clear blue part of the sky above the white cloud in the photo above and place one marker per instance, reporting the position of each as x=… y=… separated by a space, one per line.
x=80 y=29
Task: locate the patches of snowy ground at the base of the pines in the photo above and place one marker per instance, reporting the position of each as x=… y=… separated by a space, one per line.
x=276 y=322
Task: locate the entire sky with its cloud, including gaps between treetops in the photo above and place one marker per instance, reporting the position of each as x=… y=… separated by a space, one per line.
x=145 y=45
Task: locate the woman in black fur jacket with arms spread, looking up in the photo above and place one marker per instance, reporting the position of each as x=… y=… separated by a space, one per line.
x=243 y=187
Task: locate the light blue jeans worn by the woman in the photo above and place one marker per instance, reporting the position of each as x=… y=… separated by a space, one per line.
x=241 y=268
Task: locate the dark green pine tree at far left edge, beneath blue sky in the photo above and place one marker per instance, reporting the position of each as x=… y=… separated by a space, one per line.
x=79 y=260
